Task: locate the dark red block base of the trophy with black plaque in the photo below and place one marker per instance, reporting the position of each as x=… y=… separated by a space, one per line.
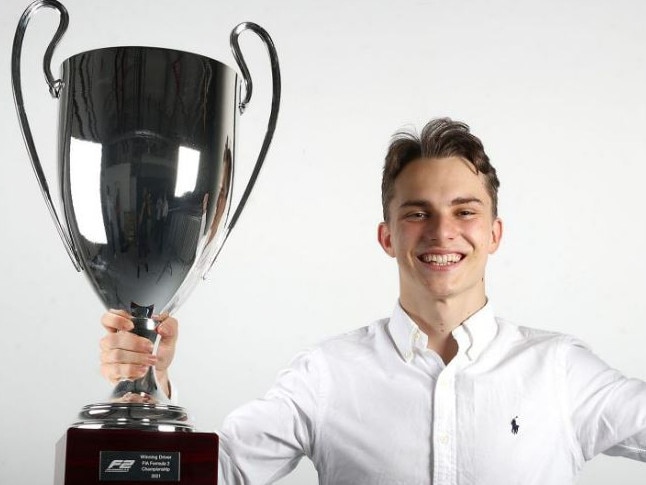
x=135 y=457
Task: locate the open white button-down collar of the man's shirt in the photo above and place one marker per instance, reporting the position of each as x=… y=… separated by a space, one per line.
x=473 y=336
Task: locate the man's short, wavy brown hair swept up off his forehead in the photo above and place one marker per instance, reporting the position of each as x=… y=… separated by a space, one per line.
x=441 y=137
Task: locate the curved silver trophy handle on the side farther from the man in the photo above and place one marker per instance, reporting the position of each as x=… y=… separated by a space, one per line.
x=55 y=87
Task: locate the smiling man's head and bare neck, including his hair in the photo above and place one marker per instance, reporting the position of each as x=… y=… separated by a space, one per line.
x=440 y=223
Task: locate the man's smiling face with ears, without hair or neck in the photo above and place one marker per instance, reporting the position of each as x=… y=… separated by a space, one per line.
x=441 y=230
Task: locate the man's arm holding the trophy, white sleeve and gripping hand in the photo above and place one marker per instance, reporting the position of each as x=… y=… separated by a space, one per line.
x=260 y=441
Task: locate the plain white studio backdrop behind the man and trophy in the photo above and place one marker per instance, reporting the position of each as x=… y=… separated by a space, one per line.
x=555 y=89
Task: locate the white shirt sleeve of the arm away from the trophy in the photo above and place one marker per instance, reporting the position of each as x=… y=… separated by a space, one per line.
x=608 y=409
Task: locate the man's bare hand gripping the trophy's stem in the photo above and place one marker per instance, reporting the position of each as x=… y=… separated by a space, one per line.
x=126 y=355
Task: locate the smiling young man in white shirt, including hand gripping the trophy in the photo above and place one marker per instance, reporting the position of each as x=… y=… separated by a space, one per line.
x=442 y=392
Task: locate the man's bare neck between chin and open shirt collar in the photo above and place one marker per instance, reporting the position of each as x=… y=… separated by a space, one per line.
x=437 y=318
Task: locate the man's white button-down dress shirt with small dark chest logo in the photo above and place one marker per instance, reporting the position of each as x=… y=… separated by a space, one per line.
x=375 y=406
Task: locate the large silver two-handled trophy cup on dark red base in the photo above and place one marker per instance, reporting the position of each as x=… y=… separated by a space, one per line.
x=145 y=166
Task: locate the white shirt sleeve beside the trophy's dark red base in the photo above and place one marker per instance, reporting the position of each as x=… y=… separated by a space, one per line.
x=264 y=440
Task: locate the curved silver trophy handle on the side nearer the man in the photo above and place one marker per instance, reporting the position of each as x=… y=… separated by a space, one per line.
x=273 y=114
